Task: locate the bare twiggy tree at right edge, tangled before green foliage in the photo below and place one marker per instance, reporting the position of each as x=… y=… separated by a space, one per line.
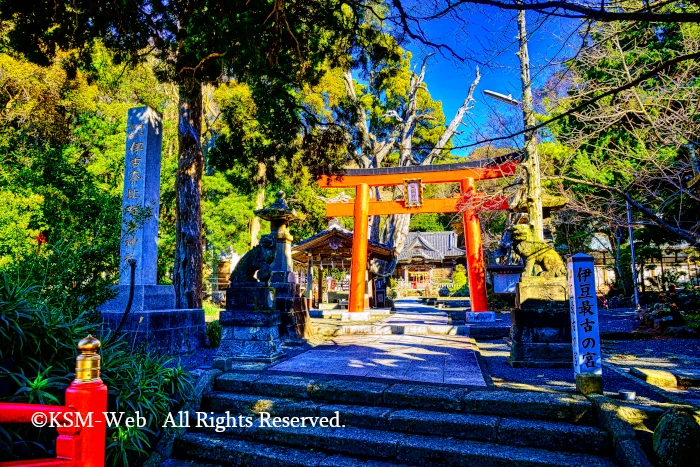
x=638 y=144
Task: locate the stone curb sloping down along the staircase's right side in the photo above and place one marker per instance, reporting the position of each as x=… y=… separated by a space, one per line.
x=628 y=451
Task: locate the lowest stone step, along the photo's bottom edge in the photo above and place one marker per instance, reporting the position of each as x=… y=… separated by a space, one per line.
x=361 y=447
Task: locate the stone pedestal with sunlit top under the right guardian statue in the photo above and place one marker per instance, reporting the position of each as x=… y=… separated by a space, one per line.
x=540 y=333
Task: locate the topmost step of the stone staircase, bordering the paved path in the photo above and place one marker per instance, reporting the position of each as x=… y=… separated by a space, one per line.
x=522 y=404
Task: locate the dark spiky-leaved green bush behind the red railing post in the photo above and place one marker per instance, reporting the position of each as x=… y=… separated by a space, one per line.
x=38 y=347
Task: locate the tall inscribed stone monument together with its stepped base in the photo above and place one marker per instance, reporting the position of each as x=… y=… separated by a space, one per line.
x=153 y=320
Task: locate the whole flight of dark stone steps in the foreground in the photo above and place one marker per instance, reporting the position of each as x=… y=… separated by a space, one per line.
x=390 y=424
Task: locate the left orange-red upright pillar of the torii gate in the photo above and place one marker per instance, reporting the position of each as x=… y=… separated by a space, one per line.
x=358 y=268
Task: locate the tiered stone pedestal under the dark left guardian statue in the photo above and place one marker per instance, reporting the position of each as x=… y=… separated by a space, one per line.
x=250 y=326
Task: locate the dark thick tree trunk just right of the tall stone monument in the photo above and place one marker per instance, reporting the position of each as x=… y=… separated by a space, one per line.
x=187 y=277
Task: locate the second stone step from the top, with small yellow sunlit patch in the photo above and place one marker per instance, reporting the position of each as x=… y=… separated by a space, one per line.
x=502 y=430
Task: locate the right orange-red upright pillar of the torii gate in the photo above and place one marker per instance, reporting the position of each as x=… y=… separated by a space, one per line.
x=475 y=252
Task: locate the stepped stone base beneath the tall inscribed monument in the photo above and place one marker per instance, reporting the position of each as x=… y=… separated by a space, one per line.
x=153 y=322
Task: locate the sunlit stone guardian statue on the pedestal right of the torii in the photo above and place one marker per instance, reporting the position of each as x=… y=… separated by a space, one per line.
x=536 y=253
